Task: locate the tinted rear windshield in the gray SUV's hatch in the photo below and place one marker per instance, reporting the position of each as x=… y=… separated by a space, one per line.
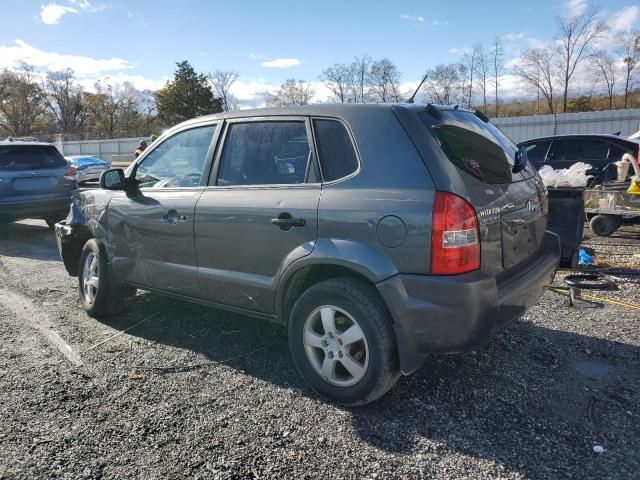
x=478 y=148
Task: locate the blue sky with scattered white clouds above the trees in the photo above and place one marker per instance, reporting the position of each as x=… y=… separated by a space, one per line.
x=267 y=42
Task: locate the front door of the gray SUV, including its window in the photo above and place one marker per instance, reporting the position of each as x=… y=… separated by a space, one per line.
x=152 y=226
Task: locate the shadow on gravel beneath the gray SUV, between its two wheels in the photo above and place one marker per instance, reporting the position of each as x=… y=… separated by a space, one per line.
x=204 y=335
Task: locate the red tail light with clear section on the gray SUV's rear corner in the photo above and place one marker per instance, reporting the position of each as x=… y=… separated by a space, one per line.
x=455 y=237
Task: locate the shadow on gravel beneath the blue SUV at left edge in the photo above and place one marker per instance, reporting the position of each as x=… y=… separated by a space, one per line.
x=32 y=240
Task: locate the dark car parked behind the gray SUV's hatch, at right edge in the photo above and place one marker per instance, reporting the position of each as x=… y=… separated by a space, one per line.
x=562 y=151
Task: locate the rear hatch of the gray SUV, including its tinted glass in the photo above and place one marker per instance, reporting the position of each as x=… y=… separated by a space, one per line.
x=469 y=156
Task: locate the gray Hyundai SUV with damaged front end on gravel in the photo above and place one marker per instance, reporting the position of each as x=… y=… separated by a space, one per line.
x=376 y=233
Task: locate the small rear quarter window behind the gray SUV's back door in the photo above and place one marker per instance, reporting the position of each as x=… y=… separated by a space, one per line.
x=337 y=156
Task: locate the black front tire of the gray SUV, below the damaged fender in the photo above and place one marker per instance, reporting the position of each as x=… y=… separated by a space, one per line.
x=108 y=298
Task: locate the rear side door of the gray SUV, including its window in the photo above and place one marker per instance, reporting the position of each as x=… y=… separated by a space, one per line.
x=259 y=213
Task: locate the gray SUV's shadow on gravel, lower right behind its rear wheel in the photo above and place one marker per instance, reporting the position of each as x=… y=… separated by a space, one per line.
x=534 y=400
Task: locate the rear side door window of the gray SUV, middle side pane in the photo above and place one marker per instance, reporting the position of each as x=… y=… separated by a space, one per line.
x=265 y=153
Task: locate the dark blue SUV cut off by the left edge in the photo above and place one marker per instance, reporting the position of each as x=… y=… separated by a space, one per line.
x=35 y=181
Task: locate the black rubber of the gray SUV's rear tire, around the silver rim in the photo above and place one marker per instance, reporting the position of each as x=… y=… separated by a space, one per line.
x=362 y=303
